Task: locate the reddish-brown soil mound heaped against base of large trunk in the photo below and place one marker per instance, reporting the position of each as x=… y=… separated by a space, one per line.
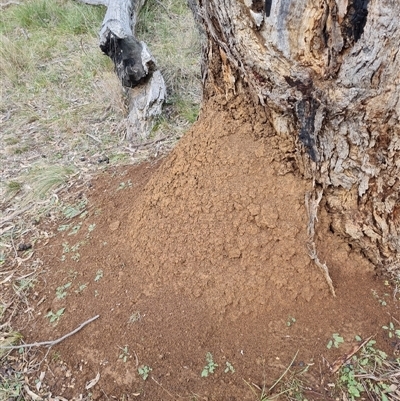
x=202 y=252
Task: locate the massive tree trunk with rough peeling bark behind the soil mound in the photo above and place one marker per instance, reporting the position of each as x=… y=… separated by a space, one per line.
x=328 y=74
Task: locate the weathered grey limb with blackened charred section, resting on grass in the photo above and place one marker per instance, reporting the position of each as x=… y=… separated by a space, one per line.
x=134 y=64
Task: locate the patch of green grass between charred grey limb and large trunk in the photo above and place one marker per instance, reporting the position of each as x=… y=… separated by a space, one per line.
x=173 y=38
